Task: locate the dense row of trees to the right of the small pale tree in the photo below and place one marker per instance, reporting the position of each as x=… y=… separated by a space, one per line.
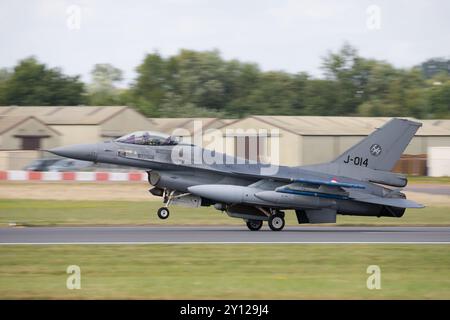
x=202 y=83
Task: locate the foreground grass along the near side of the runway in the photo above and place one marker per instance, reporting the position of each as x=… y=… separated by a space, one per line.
x=226 y=271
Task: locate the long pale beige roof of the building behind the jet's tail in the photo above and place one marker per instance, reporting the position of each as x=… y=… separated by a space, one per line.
x=321 y=125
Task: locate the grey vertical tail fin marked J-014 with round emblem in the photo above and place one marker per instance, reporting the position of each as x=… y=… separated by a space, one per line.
x=382 y=148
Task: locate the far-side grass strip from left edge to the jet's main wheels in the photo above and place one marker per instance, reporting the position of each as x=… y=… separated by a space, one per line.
x=47 y=212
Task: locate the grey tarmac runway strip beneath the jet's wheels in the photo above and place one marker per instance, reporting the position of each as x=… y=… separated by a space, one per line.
x=223 y=234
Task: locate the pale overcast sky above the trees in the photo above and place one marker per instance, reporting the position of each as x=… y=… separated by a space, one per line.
x=290 y=35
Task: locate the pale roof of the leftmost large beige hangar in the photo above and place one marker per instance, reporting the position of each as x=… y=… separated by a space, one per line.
x=77 y=115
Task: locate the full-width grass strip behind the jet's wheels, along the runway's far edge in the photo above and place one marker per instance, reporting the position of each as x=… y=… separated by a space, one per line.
x=46 y=212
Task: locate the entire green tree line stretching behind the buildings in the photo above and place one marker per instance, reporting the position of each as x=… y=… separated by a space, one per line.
x=193 y=83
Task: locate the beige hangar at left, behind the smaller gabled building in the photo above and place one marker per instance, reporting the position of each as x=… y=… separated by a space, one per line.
x=83 y=124
